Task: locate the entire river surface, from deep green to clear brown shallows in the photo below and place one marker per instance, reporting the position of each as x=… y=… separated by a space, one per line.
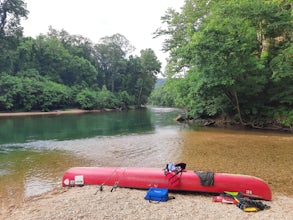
x=35 y=151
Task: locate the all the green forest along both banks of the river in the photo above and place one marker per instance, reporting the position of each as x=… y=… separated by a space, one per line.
x=230 y=60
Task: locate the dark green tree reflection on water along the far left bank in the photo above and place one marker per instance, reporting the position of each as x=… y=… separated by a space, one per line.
x=67 y=127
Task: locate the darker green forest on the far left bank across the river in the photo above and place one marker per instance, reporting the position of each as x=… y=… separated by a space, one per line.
x=58 y=70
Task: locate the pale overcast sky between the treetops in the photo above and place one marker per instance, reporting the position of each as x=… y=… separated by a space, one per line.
x=136 y=20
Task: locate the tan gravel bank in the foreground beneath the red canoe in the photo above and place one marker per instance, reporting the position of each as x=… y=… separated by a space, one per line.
x=89 y=203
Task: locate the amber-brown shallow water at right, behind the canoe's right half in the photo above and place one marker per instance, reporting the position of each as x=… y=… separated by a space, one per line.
x=263 y=154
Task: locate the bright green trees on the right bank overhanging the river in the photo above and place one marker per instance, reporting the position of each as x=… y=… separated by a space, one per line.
x=230 y=60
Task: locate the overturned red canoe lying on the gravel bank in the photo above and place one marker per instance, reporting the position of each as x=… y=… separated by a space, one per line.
x=145 y=178
